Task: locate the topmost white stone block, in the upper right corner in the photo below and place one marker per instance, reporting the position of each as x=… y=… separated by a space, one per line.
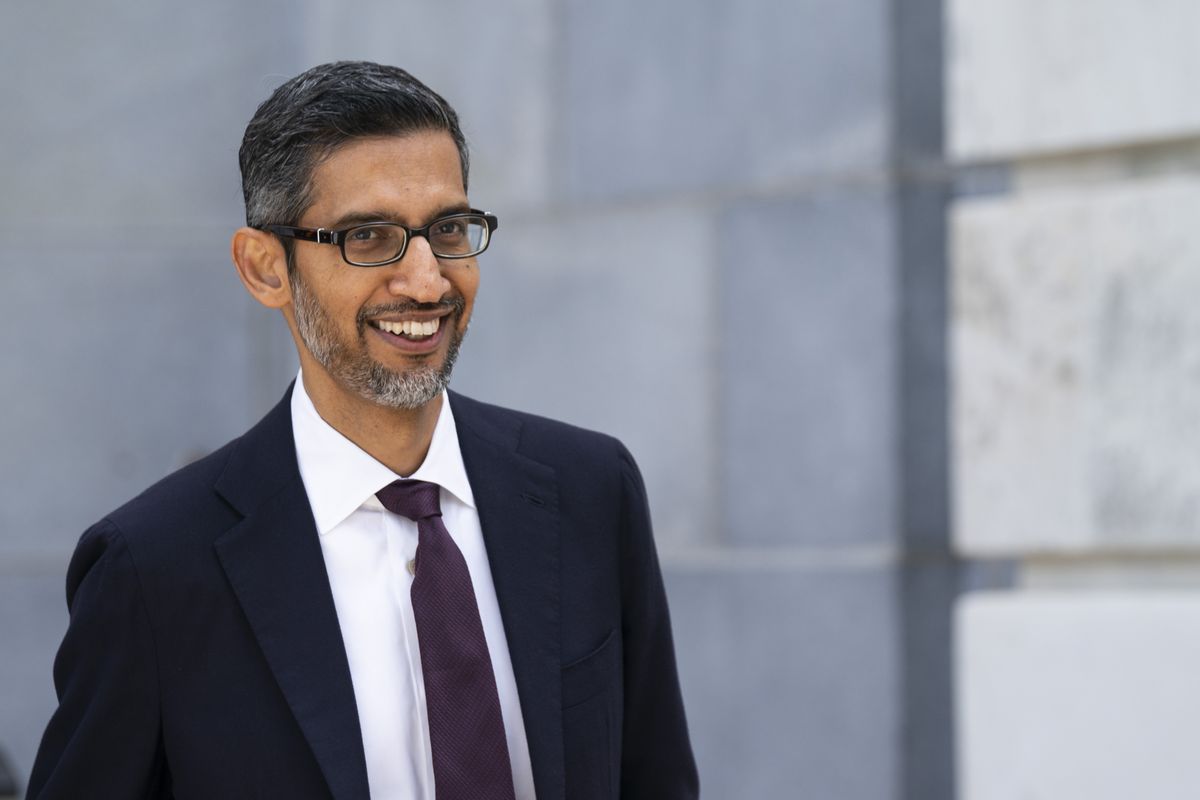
x=1034 y=76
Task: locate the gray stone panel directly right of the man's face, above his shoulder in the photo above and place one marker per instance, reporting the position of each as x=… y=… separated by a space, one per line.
x=604 y=321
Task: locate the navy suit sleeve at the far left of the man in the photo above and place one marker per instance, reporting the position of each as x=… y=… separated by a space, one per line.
x=105 y=737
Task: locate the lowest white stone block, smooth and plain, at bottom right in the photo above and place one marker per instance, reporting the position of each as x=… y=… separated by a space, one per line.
x=1078 y=696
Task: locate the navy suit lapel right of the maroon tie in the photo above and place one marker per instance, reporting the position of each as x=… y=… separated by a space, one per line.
x=518 y=502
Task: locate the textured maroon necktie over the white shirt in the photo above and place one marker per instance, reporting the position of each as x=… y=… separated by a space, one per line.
x=471 y=756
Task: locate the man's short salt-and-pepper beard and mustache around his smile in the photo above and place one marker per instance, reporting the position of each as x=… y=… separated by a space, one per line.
x=357 y=370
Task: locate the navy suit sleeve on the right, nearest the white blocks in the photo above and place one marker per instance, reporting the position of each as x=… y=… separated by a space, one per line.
x=657 y=760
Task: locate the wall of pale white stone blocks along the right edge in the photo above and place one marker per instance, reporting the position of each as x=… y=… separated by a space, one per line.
x=1075 y=333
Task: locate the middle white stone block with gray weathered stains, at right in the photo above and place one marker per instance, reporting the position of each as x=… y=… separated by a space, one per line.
x=1077 y=370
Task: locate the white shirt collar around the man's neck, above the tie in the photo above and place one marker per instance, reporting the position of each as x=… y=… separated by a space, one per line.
x=340 y=477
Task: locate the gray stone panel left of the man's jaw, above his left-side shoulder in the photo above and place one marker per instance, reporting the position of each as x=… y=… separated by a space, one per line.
x=118 y=368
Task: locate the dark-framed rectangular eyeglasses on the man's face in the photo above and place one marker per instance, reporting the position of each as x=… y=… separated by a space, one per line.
x=375 y=244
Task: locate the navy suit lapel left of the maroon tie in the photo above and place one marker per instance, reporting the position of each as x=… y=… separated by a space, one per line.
x=275 y=566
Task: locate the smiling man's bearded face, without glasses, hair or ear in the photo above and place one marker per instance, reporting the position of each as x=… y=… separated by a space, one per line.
x=350 y=318
